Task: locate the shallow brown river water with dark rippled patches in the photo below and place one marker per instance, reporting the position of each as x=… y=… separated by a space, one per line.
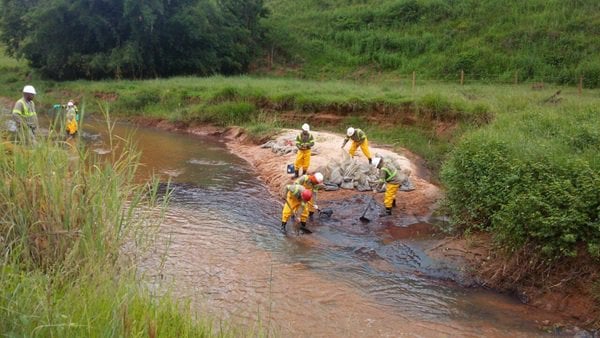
x=221 y=248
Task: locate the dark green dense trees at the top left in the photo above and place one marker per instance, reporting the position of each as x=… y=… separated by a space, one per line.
x=69 y=39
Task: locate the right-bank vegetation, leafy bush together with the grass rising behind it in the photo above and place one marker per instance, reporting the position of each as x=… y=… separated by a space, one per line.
x=533 y=180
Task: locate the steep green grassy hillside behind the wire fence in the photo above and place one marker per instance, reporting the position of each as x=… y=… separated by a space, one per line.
x=539 y=40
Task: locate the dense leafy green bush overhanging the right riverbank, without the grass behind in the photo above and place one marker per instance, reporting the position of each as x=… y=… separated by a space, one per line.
x=524 y=198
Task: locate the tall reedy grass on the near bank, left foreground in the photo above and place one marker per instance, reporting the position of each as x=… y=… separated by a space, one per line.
x=72 y=225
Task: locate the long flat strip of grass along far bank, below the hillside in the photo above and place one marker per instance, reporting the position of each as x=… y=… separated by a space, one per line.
x=428 y=119
